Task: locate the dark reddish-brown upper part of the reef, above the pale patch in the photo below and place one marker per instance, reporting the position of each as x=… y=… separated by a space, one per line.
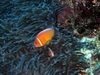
x=80 y=17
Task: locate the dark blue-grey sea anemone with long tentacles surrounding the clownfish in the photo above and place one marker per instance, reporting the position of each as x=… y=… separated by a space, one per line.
x=20 y=22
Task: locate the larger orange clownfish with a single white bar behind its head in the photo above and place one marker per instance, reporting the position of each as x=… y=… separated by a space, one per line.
x=44 y=37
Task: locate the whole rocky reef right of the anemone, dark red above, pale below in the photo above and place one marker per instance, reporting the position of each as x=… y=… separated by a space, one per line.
x=82 y=18
